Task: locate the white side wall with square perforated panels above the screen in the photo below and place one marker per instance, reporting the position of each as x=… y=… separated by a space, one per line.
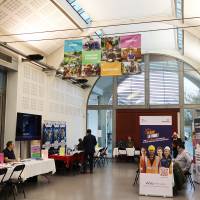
x=52 y=98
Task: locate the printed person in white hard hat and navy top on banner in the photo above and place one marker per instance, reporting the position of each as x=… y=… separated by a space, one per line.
x=166 y=160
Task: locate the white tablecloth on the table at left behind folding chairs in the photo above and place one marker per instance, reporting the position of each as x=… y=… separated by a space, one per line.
x=33 y=168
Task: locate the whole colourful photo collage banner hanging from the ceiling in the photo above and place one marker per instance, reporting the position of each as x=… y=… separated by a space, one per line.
x=109 y=56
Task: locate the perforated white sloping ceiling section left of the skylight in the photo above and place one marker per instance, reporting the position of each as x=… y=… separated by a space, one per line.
x=22 y=16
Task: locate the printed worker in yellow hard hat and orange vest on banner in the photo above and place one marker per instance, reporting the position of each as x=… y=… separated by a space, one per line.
x=152 y=161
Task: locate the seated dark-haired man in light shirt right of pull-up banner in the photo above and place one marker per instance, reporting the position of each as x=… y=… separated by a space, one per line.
x=183 y=158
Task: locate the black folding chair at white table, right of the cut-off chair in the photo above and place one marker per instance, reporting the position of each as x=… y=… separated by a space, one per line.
x=15 y=181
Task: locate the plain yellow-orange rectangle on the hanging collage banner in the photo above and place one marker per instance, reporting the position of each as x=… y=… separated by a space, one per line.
x=111 y=68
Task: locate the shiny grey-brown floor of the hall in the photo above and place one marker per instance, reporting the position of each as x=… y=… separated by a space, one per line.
x=113 y=182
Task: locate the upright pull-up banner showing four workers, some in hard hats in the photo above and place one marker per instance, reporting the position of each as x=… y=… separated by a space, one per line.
x=156 y=169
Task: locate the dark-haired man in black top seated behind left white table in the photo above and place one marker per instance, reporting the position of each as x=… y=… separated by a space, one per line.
x=9 y=155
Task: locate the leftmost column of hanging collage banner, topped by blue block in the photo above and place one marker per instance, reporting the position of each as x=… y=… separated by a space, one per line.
x=72 y=58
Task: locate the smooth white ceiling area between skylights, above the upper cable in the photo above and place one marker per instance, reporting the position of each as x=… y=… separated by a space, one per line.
x=117 y=9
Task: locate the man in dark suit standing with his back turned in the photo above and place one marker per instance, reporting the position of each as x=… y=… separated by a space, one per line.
x=89 y=143
